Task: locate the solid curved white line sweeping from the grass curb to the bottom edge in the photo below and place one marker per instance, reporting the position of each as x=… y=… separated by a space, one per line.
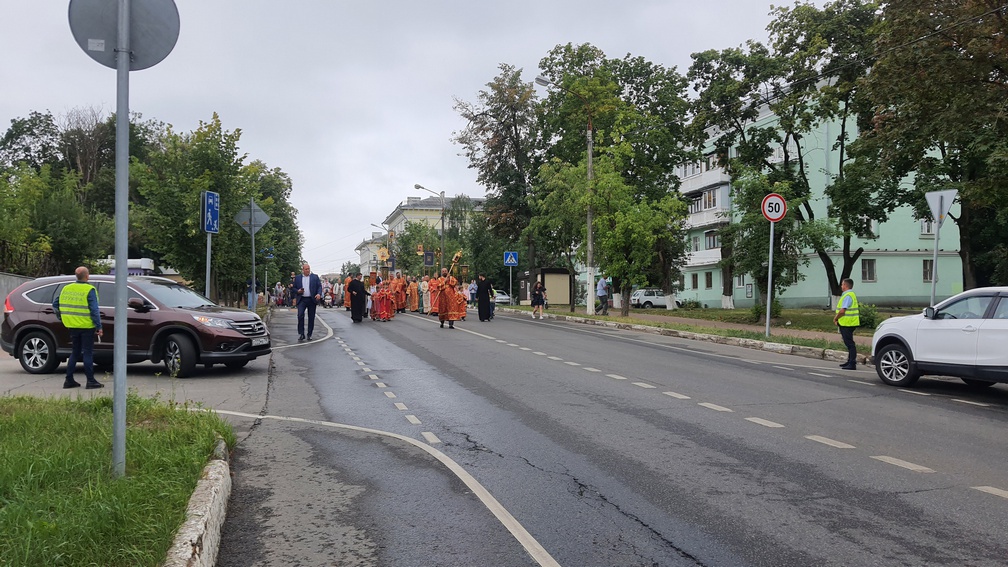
x=533 y=547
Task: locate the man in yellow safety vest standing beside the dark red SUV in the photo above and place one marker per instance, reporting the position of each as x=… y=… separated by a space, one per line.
x=77 y=307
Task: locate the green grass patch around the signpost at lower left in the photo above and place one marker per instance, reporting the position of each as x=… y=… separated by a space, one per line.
x=59 y=504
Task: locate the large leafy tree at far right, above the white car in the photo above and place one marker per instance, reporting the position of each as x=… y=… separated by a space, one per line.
x=940 y=87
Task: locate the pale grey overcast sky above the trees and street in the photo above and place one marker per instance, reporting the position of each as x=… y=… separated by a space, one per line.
x=353 y=100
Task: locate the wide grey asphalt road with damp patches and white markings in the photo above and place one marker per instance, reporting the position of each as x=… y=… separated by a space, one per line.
x=597 y=447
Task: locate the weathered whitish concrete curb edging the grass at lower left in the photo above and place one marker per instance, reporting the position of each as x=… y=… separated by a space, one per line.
x=198 y=541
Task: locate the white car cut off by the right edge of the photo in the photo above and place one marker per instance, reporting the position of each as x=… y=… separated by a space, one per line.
x=965 y=336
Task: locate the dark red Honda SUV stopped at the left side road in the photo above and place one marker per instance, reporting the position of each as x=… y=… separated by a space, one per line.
x=168 y=322
